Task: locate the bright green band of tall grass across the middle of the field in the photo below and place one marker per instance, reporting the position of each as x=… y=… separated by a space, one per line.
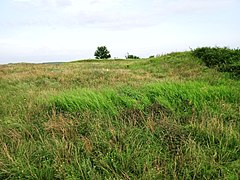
x=181 y=99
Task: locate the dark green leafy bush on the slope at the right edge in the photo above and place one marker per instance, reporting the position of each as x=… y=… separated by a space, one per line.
x=224 y=59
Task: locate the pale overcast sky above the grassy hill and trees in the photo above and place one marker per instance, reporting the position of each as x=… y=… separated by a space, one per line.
x=64 y=30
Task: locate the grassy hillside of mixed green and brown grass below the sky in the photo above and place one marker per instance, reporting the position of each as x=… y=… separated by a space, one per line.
x=169 y=117
